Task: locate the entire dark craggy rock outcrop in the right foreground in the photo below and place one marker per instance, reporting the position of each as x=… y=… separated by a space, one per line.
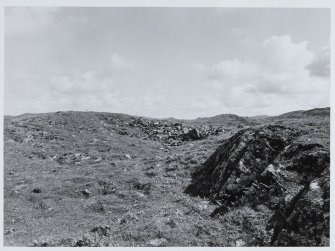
x=276 y=167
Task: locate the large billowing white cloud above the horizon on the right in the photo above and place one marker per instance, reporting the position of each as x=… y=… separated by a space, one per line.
x=276 y=81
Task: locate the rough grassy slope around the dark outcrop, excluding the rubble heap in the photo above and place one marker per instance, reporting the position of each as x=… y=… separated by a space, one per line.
x=143 y=199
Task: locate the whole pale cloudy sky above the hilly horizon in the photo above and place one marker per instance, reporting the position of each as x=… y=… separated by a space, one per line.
x=166 y=62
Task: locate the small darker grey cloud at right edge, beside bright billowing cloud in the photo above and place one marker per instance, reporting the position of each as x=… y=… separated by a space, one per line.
x=320 y=66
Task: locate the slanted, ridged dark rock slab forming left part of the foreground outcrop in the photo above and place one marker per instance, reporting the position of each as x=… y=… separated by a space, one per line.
x=236 y=163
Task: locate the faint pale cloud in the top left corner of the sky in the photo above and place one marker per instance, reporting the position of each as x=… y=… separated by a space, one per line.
x=24 y=20
